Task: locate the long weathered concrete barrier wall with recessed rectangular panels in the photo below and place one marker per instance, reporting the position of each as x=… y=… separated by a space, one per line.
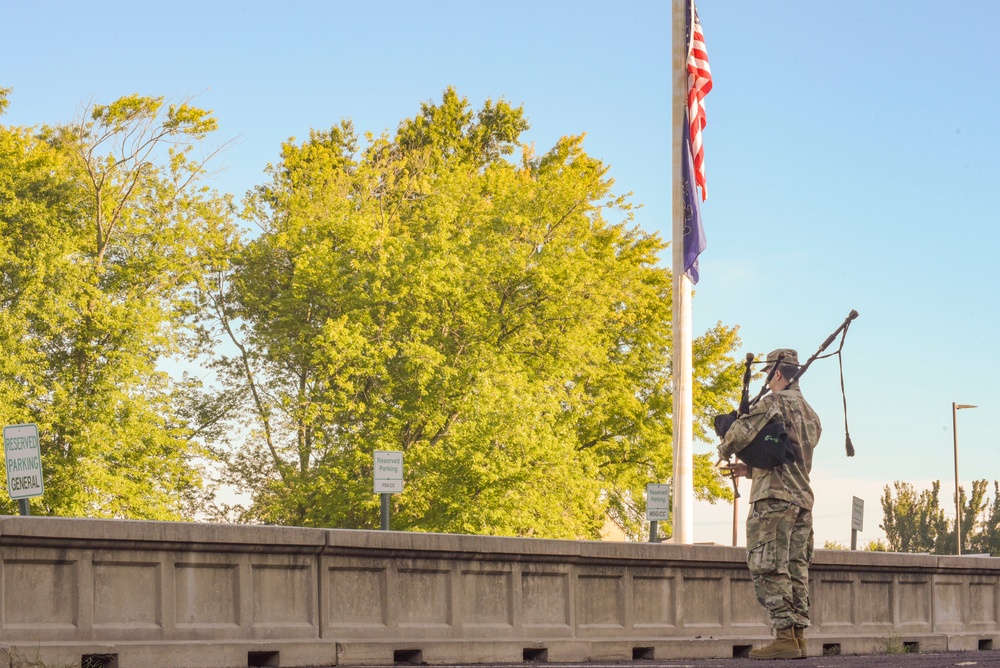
x=150 y=594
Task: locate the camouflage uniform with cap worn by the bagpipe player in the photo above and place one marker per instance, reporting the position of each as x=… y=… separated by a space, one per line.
x=779 y=526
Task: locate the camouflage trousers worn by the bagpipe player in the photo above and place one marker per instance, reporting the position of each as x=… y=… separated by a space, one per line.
x=780 y=548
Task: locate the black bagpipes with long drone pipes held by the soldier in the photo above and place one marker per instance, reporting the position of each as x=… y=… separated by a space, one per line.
x=770 y=447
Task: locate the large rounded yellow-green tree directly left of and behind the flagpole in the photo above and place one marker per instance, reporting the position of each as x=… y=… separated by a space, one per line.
x=483 y=315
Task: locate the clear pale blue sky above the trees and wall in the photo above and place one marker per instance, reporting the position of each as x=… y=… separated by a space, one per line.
x=852 y=152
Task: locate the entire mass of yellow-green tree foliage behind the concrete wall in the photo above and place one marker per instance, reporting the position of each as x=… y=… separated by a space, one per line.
x=441 y=290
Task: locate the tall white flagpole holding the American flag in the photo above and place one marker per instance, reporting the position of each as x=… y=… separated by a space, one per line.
x=683 y=487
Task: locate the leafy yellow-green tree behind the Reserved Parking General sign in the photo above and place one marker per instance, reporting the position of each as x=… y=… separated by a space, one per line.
x=103 y=239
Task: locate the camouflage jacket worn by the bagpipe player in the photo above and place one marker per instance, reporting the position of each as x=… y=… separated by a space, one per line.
x=789 y=482
